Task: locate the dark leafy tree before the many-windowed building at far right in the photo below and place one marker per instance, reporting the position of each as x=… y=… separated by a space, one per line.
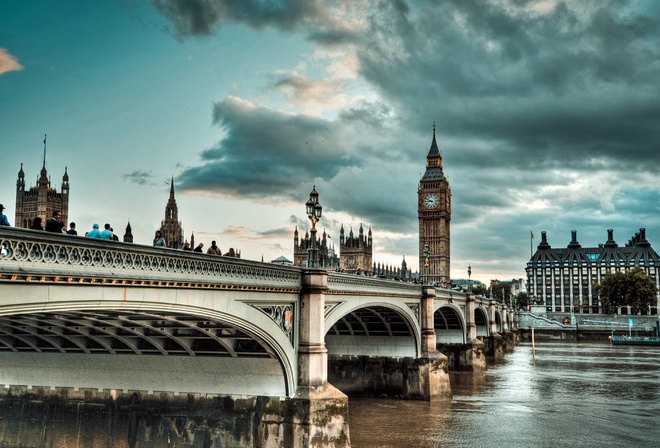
x=634 y=288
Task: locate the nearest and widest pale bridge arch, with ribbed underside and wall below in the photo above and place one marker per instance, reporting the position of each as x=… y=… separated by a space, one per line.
x=165 y=340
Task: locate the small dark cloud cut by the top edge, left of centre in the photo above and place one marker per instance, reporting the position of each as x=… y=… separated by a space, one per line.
x=202 y=17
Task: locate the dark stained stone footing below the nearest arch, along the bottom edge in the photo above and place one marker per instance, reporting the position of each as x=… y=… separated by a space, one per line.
x=64 y=418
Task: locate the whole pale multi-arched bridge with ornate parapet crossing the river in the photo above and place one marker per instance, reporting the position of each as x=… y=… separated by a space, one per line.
x=79 y=314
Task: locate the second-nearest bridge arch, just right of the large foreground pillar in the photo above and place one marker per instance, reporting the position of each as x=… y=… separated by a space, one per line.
x=377 y=328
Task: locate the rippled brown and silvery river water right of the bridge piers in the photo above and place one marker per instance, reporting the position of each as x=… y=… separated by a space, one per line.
x=571 y=395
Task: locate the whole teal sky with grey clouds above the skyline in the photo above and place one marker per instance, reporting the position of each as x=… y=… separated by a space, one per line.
x=547 y=113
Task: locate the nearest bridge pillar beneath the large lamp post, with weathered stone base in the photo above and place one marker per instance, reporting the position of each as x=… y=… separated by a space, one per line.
x=323 y=408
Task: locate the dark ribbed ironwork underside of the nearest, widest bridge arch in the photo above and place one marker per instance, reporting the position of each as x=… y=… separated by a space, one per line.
x=127 y=332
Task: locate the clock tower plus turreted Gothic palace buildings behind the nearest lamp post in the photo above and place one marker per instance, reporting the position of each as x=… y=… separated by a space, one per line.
x=356 y=252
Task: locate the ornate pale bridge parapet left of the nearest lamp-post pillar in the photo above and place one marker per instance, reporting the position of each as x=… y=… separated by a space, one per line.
x=31 y=255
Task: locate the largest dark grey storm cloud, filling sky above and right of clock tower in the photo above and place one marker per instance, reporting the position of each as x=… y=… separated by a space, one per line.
x=567 y=85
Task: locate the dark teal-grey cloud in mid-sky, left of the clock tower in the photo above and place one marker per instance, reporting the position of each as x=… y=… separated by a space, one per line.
x=266 y=153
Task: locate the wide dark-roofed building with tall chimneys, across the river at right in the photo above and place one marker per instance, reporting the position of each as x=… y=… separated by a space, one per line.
x=563 y=279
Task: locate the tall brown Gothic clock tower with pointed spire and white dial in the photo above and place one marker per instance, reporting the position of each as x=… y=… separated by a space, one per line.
x=434 y=212
